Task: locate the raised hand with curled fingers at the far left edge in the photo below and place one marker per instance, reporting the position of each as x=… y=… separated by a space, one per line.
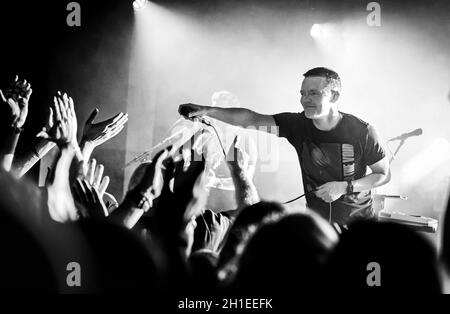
x=17 y=96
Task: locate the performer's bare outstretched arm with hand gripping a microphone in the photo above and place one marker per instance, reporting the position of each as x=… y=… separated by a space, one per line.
x=241 y=117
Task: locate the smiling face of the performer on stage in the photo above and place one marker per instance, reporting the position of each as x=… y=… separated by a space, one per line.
x=316 y=97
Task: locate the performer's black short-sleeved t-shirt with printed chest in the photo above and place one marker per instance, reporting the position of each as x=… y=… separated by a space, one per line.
x=337 y=155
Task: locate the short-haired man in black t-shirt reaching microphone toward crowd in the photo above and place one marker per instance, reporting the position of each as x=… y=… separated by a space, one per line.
x=334 y=148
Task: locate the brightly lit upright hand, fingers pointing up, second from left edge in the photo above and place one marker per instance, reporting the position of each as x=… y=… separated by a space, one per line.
x=62 y=122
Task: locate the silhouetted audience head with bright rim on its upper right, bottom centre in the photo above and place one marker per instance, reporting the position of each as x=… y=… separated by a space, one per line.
x=286 y=256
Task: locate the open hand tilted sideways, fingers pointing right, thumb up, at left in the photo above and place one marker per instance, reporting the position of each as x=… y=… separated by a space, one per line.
x=99 y=133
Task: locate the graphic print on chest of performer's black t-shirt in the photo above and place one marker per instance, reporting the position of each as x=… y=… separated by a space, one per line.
x=327 y=162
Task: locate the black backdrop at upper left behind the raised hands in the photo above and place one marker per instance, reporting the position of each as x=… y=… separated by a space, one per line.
x=90 y=63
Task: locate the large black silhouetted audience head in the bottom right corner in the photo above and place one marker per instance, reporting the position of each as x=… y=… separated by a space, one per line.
x=372 y=253
